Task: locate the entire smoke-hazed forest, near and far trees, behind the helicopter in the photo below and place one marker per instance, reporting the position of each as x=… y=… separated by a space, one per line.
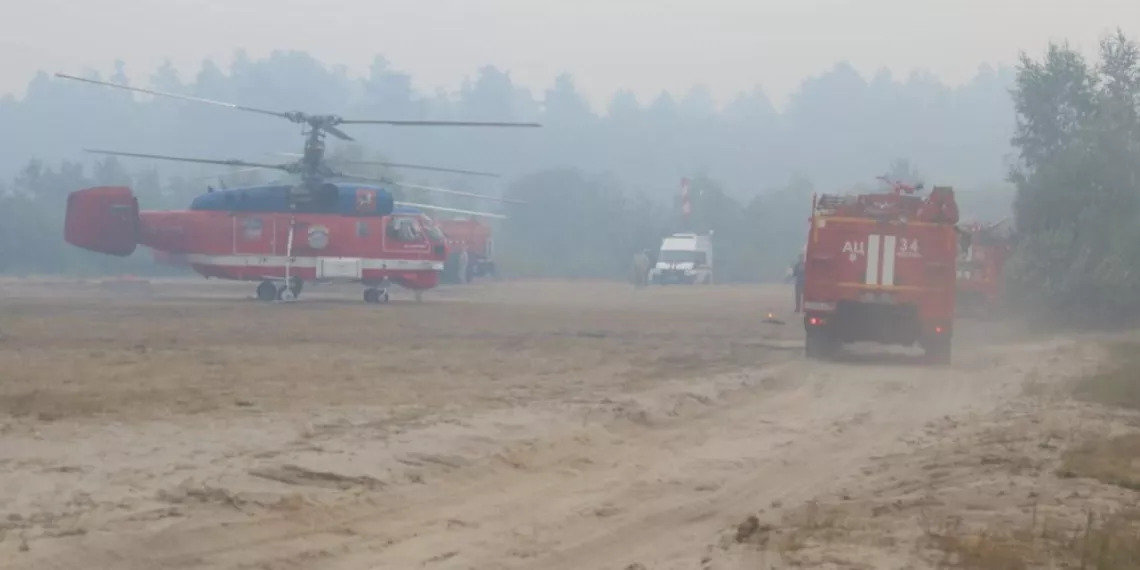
x=602 y=183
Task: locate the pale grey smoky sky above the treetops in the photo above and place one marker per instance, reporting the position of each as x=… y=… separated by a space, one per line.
x=645 y=46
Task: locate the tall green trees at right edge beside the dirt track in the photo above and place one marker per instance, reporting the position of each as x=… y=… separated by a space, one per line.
x=1078 y=205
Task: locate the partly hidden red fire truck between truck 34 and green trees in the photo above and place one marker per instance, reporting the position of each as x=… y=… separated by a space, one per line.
x=981 y=266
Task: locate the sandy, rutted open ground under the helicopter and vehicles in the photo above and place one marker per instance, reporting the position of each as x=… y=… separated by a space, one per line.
x=549 y=426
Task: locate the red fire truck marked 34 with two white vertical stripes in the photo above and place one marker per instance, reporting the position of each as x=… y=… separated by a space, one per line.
x=882 y=268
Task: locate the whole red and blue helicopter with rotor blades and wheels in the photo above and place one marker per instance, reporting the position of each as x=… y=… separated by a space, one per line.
x=282 y=235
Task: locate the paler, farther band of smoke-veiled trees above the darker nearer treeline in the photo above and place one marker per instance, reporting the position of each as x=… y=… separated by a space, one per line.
x=838 y=128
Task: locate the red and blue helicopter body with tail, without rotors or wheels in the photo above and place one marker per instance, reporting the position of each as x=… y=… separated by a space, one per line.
x=255 y=234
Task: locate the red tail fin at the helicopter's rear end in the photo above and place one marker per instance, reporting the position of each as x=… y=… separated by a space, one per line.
x=103 y=219
